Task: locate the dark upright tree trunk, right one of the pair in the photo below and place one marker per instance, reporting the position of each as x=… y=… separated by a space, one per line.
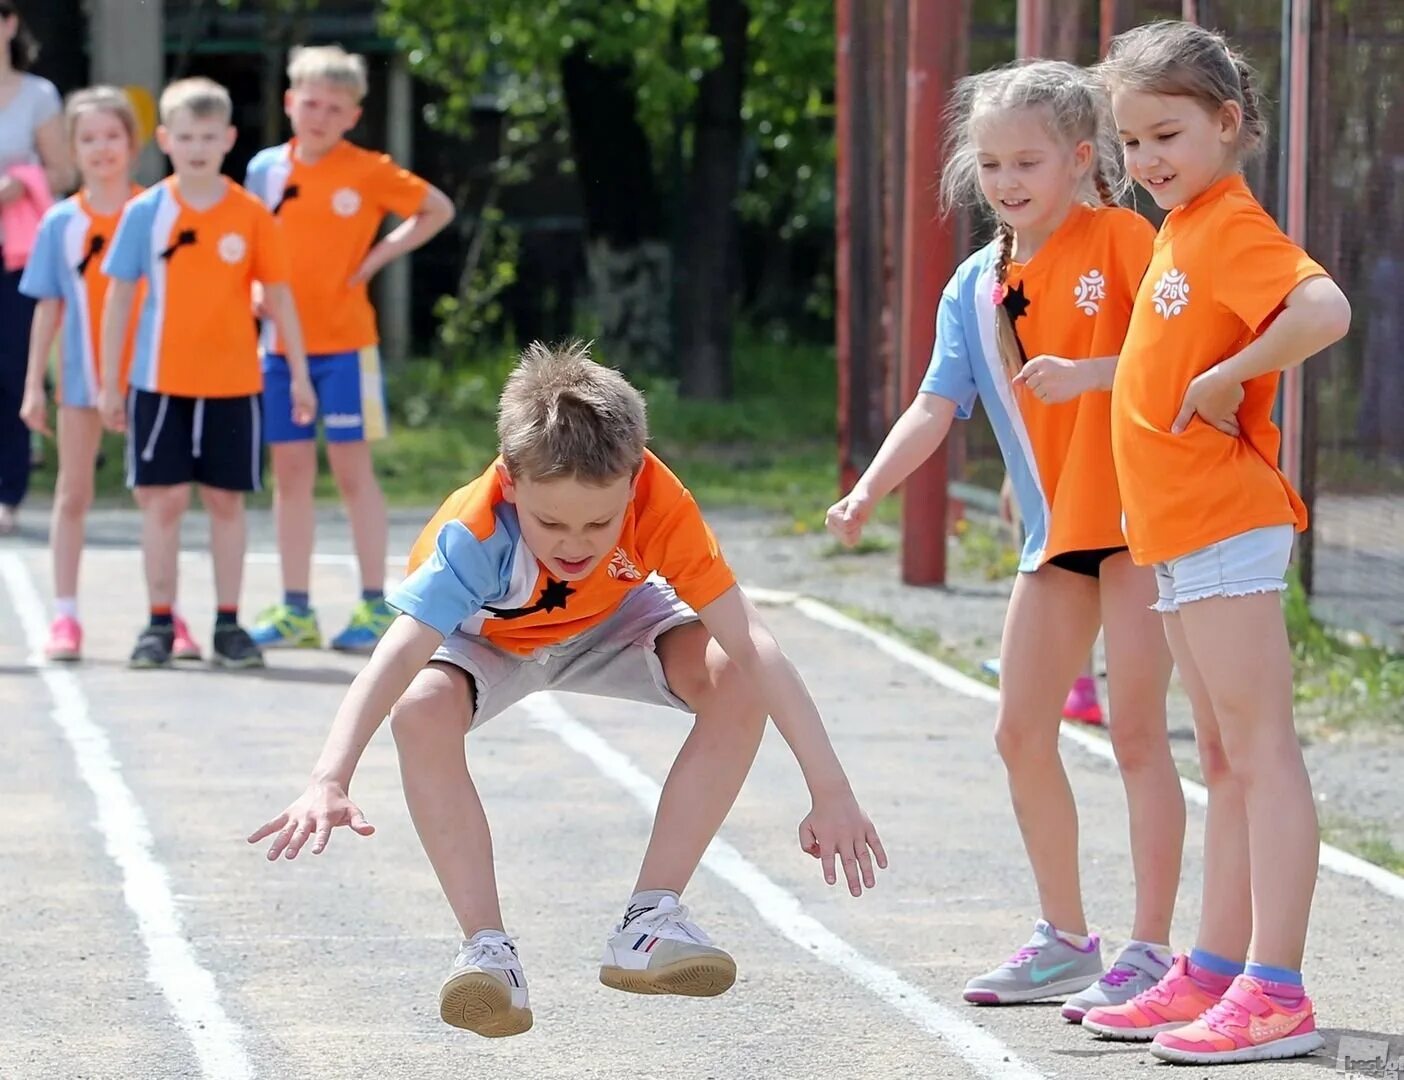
x=707 y=283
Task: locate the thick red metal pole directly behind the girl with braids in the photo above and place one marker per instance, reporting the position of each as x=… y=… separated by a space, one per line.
x=936 y=57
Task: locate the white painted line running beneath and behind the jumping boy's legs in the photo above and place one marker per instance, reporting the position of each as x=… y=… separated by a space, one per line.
x=784 y=912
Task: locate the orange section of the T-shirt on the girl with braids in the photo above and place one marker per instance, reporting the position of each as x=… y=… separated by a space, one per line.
x=1076 y=297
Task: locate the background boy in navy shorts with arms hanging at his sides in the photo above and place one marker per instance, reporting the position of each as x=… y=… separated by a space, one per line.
x=194 y=412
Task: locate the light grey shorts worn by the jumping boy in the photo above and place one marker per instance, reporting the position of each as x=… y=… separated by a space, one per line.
x=617 y=659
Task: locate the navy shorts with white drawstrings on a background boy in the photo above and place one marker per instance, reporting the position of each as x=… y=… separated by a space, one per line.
x=213 y=442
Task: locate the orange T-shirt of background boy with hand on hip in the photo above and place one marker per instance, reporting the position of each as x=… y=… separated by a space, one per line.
x=331 y=214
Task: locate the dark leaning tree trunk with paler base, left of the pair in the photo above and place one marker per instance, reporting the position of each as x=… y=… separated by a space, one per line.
x=627 y=255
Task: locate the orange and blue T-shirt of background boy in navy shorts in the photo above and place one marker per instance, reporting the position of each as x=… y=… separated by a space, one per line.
x=196 y=332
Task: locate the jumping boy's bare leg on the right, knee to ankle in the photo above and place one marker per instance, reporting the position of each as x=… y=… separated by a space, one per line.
x=713 y=765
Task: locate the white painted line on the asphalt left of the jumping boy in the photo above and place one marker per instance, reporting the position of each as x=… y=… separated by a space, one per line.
x=171 y=961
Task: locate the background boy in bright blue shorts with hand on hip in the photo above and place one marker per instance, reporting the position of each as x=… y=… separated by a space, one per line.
x=331 y=199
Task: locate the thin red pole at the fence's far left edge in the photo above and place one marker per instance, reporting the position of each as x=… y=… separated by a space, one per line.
x=843 y=214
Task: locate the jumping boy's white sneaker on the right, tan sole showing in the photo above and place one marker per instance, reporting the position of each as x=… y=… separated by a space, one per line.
x=658 y=951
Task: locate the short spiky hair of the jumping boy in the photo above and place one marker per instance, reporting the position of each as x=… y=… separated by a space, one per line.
x=565 y=416
